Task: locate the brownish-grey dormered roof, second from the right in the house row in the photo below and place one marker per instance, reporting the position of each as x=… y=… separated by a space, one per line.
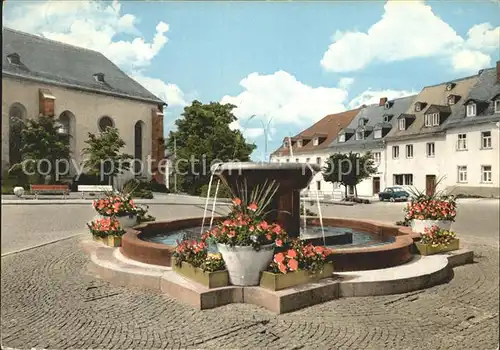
x=435 y=98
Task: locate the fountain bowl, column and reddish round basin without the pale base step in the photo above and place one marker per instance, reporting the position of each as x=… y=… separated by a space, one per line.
x=357 y=244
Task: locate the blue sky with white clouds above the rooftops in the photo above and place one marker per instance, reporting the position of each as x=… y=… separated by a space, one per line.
x=287 y=64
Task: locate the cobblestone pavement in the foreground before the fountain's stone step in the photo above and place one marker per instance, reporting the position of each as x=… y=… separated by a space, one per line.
x=49 y=301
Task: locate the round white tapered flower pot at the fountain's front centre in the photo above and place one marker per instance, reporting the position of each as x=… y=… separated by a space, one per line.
x=244 y=264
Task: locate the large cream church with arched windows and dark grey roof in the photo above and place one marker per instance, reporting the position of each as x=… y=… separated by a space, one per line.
x=84 y=91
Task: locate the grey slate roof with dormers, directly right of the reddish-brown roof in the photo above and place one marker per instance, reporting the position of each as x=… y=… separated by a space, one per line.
x=374 y=114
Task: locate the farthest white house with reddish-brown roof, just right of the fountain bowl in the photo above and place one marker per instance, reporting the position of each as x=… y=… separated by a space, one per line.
x=311 y=147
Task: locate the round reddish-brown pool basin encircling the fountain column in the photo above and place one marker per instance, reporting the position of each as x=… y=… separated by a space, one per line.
x=374 y=245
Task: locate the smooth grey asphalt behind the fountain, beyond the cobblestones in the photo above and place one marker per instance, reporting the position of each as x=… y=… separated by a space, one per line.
x=26 y=226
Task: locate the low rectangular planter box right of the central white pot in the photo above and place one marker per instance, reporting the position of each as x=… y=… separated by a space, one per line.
x=278 y=281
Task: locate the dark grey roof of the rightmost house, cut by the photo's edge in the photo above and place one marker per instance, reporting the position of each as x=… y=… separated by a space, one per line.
x=485 y=91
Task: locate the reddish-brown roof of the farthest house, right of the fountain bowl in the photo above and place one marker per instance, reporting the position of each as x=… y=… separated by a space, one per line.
x=329 y=126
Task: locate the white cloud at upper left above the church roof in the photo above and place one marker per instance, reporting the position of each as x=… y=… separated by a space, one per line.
x=95 y=25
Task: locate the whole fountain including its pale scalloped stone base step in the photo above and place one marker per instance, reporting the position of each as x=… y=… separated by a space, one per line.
x=377 y=260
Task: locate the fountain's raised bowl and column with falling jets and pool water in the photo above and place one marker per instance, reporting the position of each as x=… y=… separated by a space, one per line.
x=291 y=177
